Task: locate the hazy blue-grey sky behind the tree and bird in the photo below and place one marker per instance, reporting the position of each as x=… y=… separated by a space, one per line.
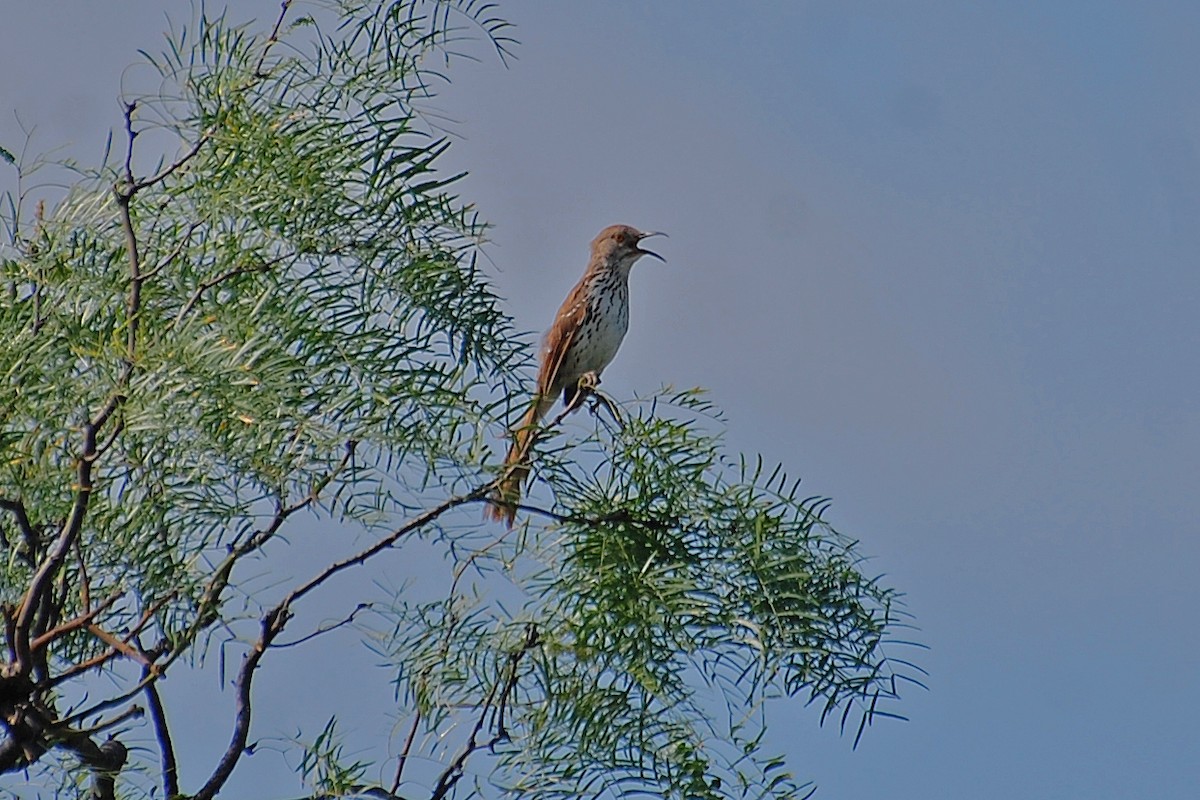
x=940 y=258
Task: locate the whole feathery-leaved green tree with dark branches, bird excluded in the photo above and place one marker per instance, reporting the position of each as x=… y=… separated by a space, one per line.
x=260 y=330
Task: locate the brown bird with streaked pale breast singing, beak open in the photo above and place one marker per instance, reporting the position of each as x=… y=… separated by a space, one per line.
x=587 y=332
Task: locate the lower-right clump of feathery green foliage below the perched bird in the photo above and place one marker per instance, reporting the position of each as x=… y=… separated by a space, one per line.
x=677 y=600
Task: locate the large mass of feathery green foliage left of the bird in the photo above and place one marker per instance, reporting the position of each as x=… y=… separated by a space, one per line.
x=307 y=284
